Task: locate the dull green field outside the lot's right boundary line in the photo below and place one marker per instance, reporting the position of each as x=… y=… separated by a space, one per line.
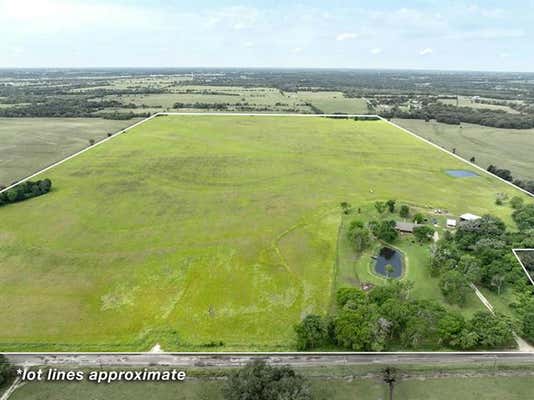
x=506 y=148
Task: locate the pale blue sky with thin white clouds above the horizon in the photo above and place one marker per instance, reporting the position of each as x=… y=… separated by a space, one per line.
x=457 y=35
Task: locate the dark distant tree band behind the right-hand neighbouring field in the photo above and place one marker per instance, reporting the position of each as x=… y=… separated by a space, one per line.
x=452 y=115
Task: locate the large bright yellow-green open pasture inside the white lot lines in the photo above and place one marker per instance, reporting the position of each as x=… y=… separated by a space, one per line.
x=189 y=230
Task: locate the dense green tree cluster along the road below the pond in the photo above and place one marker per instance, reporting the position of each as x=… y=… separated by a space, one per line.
x=386 y=318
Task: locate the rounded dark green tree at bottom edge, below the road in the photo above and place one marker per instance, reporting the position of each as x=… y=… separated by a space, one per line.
x=260 y=381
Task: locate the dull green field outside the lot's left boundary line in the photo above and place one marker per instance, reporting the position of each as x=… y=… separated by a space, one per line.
x=29 y=144
